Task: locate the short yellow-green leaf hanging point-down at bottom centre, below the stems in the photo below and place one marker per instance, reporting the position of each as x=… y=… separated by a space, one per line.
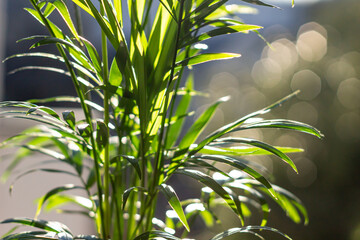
x=175 y=204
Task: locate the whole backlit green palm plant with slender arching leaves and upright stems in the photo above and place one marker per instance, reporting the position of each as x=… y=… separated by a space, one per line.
x=135 y=147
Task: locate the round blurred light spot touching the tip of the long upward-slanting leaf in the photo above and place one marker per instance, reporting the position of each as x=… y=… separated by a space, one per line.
x=308 y=82
